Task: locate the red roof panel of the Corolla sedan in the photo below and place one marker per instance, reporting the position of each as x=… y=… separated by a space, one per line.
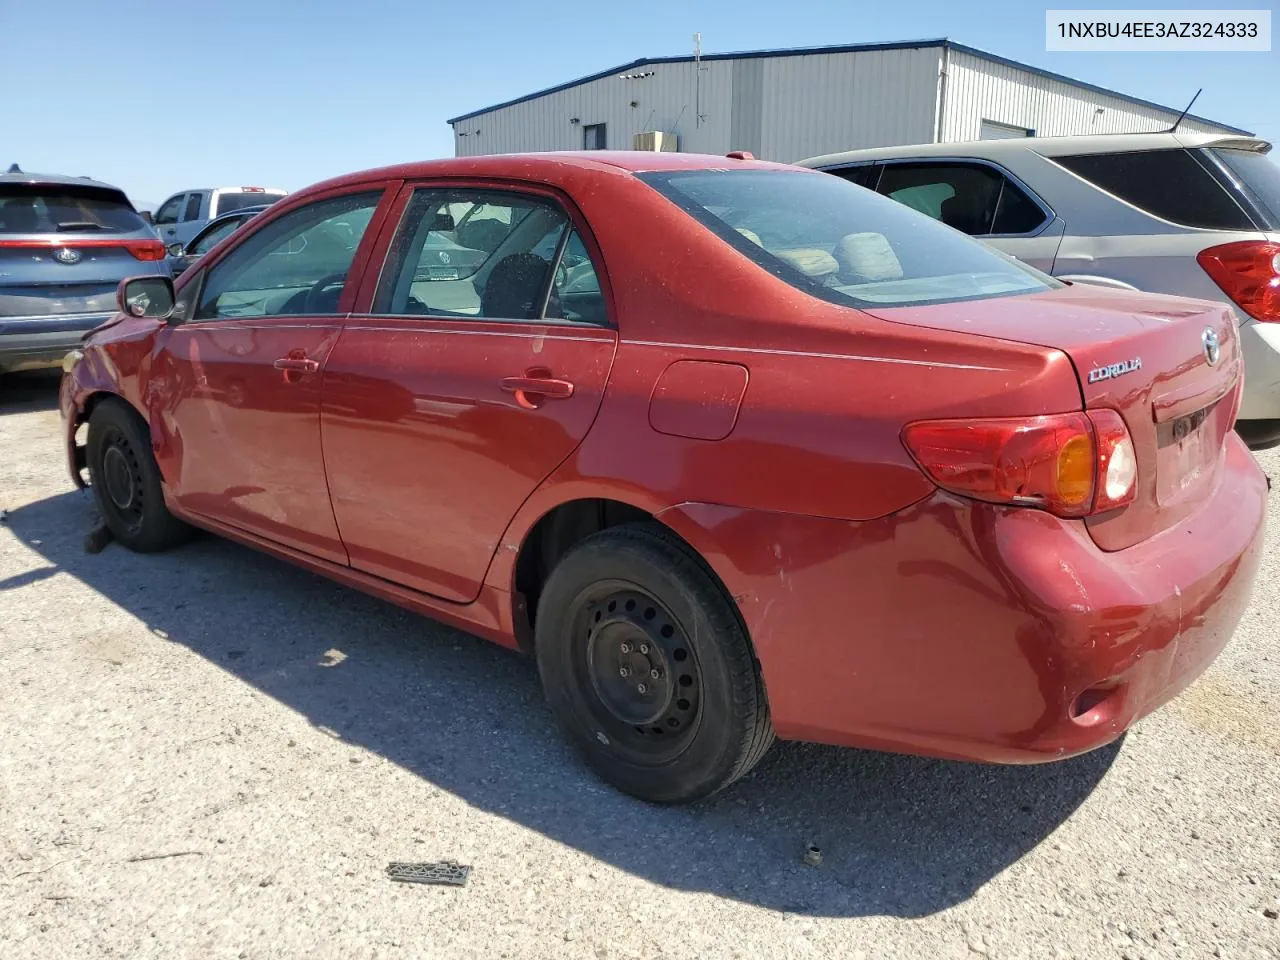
x=550 y=166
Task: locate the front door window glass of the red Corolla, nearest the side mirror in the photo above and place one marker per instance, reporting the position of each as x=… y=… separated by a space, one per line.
x=296 y=266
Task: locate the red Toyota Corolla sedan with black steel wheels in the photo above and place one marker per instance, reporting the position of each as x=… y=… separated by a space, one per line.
x=734 y=449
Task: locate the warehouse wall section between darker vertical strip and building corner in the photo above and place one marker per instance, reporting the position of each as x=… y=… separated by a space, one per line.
x=820 y=104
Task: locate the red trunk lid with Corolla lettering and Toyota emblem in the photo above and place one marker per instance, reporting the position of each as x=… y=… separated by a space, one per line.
x=1144 y=356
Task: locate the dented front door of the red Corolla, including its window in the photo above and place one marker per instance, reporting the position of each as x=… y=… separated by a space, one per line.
x=241 y=424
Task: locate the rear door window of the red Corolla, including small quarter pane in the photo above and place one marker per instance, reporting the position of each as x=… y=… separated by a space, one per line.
x=515 y=271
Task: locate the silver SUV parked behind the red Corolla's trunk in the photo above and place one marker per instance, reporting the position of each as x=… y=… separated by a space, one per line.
x=1191 y=214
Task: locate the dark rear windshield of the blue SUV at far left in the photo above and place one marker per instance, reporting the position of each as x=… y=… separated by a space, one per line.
x=35 y=208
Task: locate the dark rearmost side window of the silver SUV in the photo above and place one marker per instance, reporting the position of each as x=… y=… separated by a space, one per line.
x=1168 y=184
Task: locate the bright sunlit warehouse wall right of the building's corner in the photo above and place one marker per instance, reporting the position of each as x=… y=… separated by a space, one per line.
x=979 y=89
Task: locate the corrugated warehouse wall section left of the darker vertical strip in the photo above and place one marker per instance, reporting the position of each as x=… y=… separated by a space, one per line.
x=665 y=102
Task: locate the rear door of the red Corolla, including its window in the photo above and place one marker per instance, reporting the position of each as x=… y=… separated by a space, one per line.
x=464 y=385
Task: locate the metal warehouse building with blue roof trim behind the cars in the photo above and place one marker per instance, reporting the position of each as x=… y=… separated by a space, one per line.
x=792 y=104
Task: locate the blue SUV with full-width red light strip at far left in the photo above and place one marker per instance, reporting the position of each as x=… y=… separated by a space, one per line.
x=66 y=243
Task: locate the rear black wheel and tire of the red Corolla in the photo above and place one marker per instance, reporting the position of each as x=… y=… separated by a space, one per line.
x=638 y=588
